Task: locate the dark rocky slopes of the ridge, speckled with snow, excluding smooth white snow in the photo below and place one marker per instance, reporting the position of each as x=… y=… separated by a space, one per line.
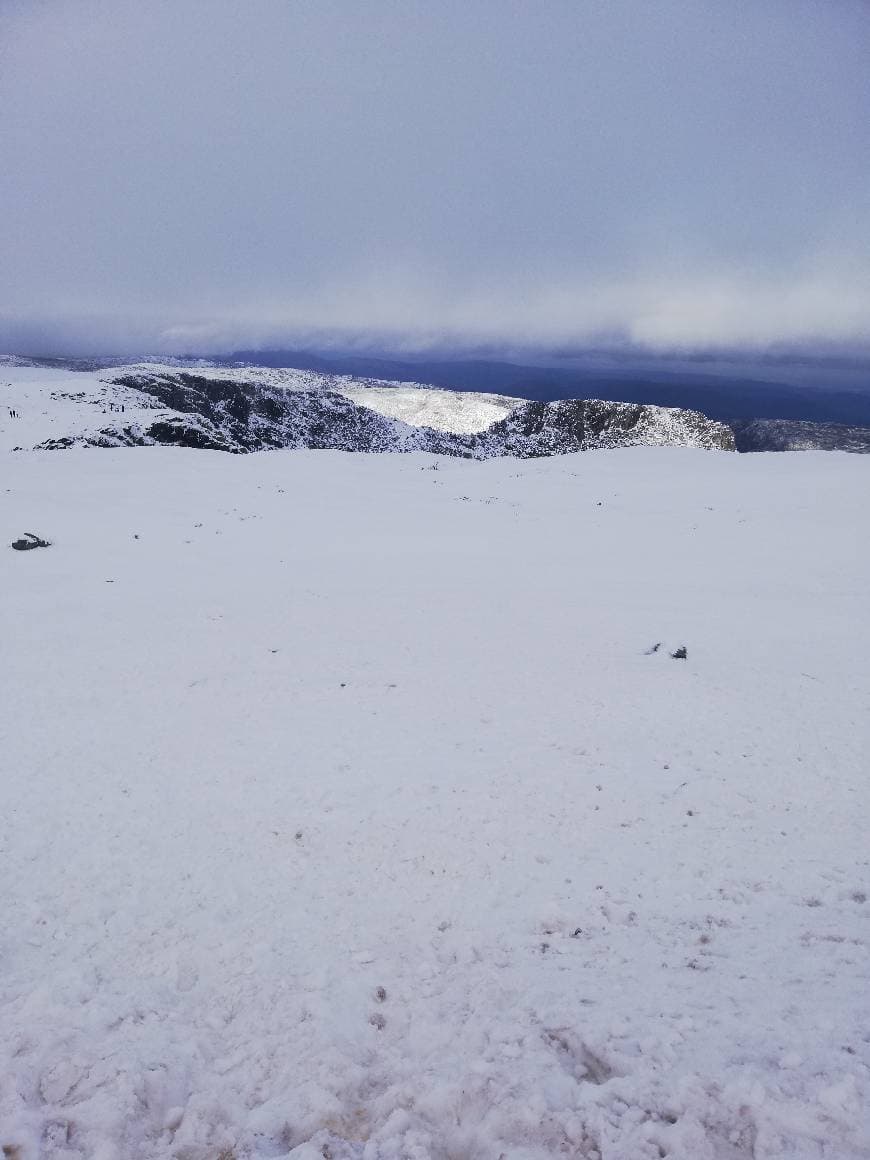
x=238 y=416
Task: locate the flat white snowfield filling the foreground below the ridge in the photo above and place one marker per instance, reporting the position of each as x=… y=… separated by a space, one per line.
x=349 y=811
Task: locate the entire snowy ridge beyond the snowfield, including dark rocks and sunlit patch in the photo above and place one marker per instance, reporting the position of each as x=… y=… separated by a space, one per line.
x=255 y=409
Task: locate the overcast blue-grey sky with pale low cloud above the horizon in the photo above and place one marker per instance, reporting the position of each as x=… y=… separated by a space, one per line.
x=202 y=175
